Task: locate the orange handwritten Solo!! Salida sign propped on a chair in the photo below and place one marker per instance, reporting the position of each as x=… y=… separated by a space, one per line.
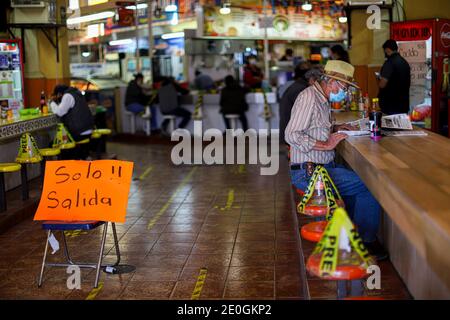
x=85 y=190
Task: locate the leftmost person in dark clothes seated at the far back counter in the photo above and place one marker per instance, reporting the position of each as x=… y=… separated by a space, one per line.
x=136 y=100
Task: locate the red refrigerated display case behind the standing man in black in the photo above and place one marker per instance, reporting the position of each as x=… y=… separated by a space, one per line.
x=425 y=44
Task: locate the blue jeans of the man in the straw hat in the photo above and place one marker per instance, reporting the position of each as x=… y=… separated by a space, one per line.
x=361 y=206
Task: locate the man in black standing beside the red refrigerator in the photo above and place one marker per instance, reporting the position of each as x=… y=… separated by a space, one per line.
x=394 y=81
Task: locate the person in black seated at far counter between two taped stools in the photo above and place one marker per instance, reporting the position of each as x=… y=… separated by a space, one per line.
x=232 y=101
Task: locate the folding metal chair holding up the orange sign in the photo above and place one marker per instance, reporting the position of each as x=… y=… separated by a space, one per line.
x=78 y=225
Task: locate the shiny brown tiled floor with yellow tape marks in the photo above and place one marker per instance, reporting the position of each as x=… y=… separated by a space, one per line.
x=229 y=219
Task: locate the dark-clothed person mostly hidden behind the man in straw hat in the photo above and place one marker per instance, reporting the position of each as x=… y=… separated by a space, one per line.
x=288 y=98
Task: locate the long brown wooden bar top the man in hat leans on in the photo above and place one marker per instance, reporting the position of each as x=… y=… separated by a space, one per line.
x=410 y=177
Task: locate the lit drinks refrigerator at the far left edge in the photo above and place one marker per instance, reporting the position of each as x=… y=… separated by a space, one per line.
x=11 y=74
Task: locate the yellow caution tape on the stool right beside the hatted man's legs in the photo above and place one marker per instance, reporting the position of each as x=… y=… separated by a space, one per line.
x=331 y=192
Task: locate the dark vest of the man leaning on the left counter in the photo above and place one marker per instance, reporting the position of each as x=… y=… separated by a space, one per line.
x=79 y=118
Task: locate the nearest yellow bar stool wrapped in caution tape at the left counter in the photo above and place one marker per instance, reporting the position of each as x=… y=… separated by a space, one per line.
x=28 y=154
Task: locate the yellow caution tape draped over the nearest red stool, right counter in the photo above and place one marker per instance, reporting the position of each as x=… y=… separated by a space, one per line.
x=328 y=245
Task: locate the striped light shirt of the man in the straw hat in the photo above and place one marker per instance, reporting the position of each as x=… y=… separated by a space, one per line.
x=310 y=121
